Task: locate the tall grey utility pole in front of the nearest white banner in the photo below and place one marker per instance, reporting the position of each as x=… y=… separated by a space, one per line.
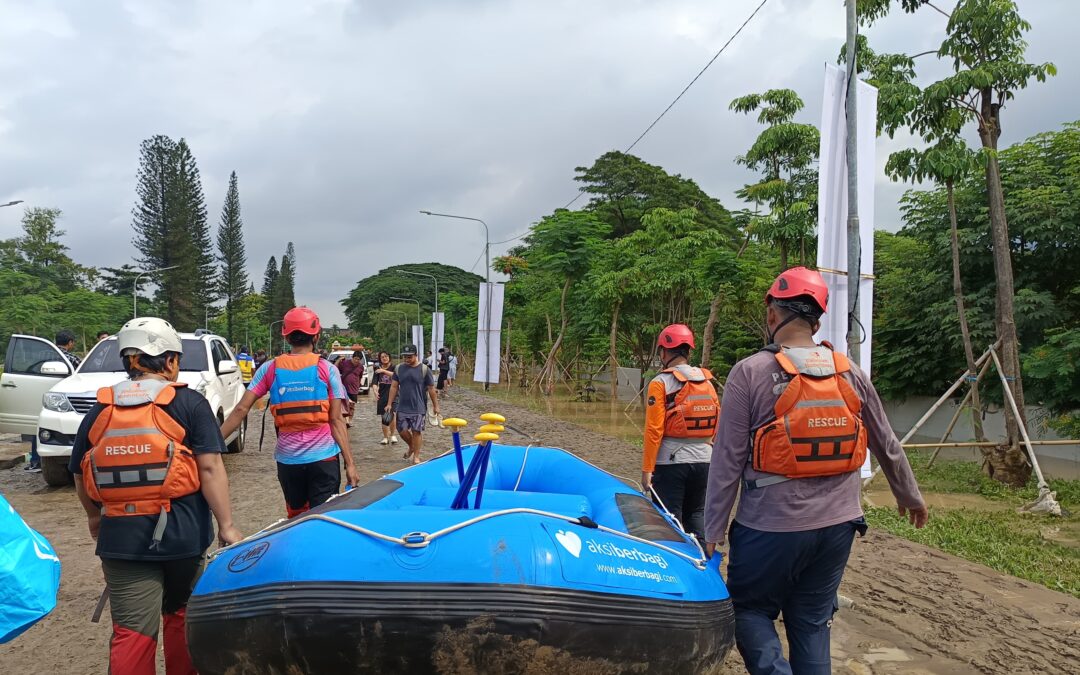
x=855 y=242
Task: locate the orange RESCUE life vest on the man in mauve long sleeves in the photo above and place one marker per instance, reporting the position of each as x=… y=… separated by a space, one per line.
x=818 y=430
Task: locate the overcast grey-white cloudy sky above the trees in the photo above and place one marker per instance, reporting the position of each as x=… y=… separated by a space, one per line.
x=344 y=118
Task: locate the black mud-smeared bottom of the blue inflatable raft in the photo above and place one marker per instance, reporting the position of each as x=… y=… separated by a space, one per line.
x=452 y=630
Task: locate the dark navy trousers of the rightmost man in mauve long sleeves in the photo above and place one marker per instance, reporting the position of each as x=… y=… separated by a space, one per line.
x=794 y=574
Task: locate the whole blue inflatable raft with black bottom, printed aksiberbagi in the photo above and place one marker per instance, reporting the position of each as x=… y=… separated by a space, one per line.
x=543 y=563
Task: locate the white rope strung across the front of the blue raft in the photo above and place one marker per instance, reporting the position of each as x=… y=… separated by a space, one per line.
x=422 y=541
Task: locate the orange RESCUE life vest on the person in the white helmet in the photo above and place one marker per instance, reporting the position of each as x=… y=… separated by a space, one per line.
x=138 y=462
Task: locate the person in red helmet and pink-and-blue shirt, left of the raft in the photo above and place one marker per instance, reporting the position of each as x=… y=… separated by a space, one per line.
x=306 y=400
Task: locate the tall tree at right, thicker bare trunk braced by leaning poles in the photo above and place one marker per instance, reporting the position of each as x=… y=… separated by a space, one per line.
x=984 y=40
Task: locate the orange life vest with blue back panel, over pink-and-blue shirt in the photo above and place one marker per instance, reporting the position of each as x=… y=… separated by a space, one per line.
x=300 y=398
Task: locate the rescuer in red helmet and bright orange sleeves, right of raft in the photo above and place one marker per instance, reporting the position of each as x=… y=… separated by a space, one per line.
x=680 y=425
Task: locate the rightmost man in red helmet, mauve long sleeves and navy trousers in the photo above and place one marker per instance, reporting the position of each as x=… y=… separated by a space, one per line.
x=796 y=423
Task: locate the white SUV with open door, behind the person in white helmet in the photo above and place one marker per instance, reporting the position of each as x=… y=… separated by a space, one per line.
x=208 y=367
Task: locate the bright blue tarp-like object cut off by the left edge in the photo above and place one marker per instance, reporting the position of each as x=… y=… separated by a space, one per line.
x=30 y=575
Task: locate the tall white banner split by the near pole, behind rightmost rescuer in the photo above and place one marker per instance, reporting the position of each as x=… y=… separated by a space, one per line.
x=833 y=211
